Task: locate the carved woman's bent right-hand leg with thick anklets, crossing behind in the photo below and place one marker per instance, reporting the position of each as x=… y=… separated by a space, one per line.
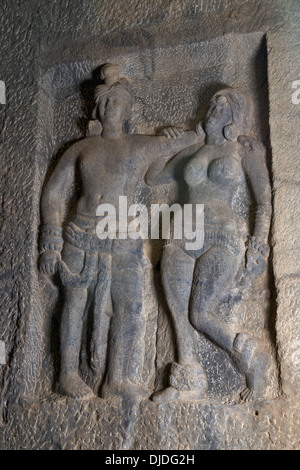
x=214 y=272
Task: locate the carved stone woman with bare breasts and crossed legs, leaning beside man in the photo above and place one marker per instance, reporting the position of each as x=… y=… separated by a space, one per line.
x=194 y=281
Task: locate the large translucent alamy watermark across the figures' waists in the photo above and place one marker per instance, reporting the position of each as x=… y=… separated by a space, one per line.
x=136 y=222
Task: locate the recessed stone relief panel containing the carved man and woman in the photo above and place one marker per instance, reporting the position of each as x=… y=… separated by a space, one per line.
x=144 y=318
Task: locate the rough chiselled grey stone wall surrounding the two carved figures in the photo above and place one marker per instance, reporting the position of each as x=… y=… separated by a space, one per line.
x=45 y=43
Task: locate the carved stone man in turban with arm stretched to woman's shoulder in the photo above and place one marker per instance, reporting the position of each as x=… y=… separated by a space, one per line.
x=110 y=165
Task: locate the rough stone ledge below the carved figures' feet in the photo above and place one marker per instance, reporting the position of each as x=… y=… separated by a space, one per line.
x=69 y=425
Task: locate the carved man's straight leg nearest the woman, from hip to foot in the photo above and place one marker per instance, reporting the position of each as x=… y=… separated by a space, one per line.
x=127 y=327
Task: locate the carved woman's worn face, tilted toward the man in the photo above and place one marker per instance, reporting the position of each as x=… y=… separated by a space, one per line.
x=218 y=116
